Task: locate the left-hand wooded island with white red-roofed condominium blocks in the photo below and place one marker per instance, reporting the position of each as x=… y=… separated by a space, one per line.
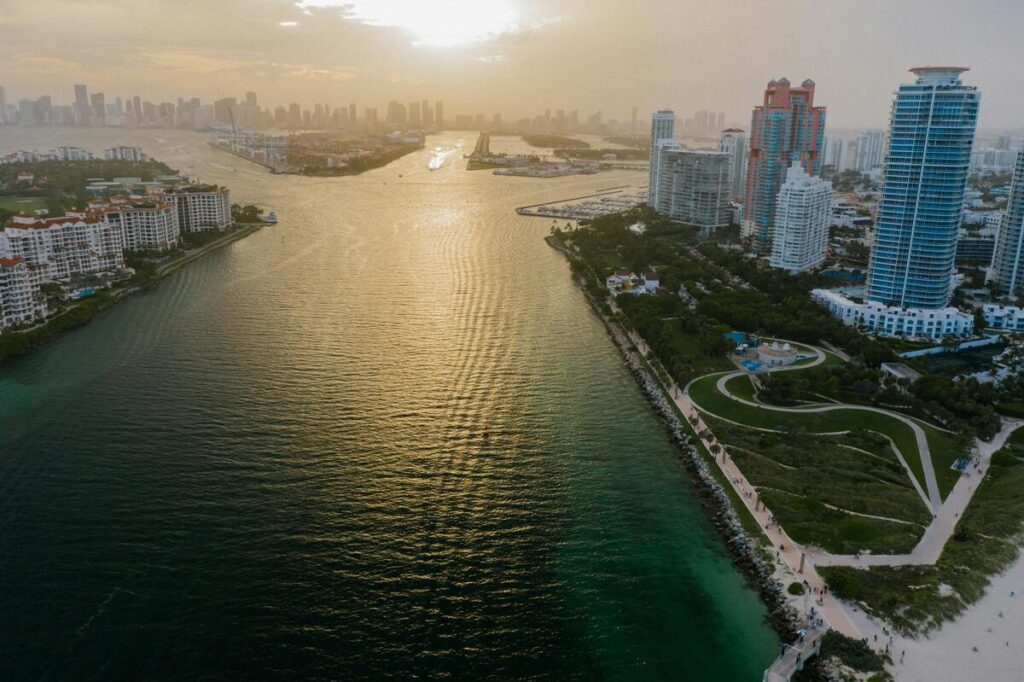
x=79 y=236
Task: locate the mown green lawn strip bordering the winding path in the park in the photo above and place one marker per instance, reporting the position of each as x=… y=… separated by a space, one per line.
x=705 y=394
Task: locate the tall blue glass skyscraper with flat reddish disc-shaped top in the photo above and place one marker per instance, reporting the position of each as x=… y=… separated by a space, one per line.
x=931 y=135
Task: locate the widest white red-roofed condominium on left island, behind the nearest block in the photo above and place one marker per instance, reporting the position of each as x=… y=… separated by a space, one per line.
x=65 y=246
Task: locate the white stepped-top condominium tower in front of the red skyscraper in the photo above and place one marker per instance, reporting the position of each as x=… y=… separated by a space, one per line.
x=803 y=214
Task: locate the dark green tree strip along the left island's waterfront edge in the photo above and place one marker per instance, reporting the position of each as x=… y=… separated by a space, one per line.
x=16 y=344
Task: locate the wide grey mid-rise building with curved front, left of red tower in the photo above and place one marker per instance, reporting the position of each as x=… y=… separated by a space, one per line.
x=694 y=187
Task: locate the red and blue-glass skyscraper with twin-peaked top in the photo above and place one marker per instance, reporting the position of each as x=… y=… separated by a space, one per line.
x=785 y=129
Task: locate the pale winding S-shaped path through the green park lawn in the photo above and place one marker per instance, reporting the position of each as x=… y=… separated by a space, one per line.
x=925 y=455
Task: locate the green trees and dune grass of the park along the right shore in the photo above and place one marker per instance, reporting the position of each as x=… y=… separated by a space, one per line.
x=831 y=500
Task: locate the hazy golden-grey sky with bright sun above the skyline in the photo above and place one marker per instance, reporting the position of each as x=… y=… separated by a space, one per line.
x=516 y=57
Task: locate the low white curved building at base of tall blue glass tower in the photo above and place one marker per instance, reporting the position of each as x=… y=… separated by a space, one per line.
x=892 y=321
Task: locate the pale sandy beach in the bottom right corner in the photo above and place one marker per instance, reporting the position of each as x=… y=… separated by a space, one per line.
x=949 y=654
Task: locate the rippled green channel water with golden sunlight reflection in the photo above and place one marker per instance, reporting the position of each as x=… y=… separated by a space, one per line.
x=273 y=466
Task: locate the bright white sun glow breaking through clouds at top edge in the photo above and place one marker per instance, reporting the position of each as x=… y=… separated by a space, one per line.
x=434 y=23
